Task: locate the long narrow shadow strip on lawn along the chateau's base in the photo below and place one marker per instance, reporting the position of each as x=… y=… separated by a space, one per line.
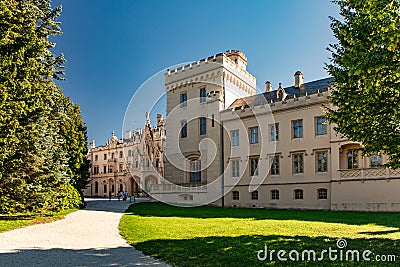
x=388 y=219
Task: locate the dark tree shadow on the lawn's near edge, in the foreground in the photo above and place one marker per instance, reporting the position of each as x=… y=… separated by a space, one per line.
x=242 y=250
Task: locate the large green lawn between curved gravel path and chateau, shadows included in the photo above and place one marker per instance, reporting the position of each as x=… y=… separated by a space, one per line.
x=213 y=236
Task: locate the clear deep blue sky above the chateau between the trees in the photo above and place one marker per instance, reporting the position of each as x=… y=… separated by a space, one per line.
x=113 y=46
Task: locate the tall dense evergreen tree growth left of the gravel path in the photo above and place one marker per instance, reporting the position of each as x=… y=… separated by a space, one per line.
x=37 y=174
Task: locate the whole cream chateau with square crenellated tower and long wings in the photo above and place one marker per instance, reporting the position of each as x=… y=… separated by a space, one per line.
x=226 y=145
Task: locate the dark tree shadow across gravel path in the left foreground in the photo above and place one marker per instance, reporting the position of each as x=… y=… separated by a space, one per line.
x=121 y=256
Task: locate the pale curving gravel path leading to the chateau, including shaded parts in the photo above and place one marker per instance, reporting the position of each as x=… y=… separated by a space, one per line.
x=88 y=237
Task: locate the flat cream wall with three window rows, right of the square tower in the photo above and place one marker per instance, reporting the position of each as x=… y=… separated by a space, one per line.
x=283 y=113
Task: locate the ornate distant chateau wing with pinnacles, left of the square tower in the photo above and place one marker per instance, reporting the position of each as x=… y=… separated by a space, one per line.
x=130 y=164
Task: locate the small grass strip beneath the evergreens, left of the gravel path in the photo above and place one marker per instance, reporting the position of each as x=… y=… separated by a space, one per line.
x=15 y=221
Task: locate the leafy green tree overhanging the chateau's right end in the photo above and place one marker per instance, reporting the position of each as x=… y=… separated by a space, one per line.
x=365 y=64
